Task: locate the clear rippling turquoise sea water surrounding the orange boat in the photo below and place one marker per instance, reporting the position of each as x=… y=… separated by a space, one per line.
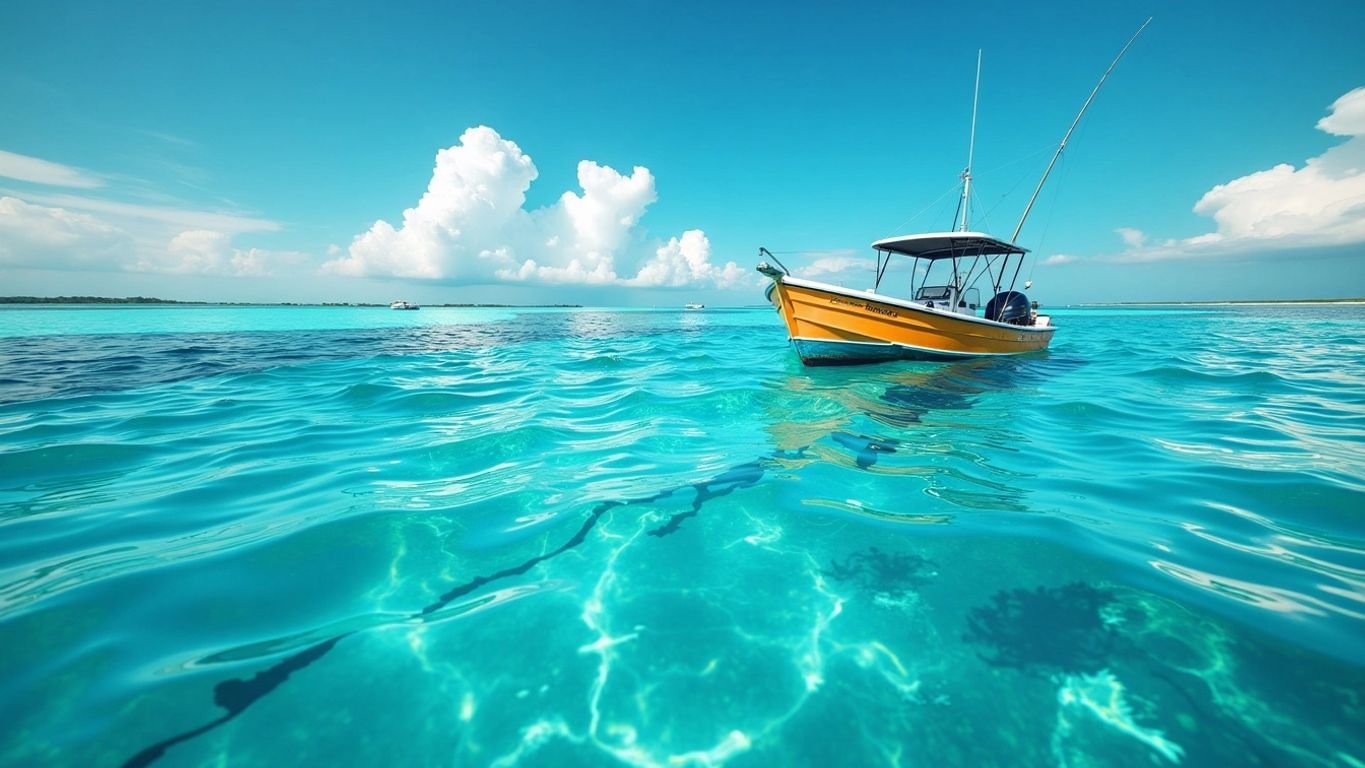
x=581 y=538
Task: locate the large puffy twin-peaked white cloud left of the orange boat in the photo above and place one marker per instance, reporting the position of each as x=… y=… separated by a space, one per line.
x=473 y=227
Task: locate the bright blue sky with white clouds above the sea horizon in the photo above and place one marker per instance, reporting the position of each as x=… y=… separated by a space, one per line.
x=640 y=153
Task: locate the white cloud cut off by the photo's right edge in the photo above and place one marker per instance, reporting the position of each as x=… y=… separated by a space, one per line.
x=1322 y=204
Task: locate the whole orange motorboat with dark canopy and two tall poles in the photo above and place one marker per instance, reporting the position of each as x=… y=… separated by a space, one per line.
x=943 y=319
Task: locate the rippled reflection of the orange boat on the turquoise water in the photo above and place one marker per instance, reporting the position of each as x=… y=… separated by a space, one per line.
x=936 y=428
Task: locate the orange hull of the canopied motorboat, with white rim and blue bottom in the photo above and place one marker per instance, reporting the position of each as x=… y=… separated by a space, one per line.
x=831 y=325
